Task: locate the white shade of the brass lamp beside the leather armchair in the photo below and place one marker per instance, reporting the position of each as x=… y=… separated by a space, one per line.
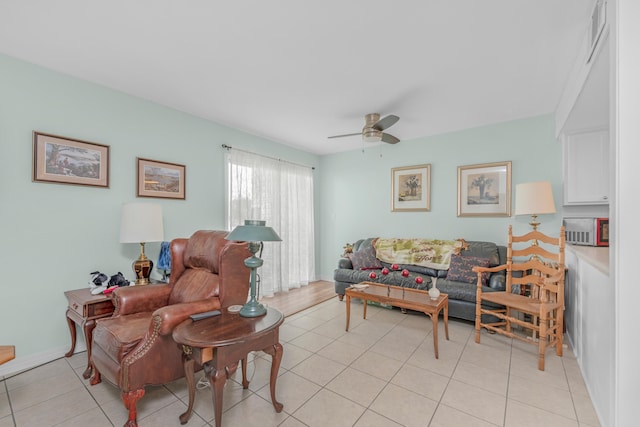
x=141 y=223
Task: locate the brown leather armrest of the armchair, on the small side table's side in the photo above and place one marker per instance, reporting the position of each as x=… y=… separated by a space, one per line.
x=136 y=299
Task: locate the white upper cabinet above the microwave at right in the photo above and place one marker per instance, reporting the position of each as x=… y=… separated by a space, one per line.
x=586 y=167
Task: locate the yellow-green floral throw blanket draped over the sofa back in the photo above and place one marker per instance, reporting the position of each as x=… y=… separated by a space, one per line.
x=424 y=252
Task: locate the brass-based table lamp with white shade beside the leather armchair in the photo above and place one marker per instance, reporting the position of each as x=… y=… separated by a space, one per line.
x=141 y=223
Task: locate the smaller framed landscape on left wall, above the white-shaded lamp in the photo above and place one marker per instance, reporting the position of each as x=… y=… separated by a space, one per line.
x=161 y=179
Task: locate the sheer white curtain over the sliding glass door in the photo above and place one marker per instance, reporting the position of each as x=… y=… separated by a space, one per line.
x=280 y=193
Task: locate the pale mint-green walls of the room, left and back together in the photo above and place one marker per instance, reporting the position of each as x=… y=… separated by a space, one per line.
x=54 y=235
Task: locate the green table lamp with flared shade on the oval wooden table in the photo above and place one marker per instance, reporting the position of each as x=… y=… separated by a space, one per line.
x=255 y=232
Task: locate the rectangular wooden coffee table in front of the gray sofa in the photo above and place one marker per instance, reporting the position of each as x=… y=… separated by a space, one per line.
x=397 y=296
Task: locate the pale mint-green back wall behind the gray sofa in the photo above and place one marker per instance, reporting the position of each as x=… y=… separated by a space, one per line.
x=355 y=186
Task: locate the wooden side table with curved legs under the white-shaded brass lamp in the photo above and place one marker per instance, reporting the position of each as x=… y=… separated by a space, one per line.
x=83 y=310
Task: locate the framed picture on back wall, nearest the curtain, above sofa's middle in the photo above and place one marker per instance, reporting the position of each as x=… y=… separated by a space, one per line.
x=410 y=188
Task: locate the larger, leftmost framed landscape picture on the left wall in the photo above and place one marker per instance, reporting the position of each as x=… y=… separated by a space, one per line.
x=69 y=161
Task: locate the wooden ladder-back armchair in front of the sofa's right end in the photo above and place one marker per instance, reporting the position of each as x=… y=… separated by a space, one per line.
x=534 y=294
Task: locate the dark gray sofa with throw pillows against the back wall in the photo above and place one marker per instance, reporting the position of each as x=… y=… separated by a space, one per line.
x=462 y=295
